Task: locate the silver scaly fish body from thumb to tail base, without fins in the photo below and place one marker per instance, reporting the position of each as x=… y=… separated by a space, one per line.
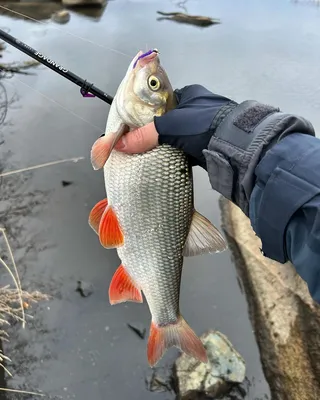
x=163 y=198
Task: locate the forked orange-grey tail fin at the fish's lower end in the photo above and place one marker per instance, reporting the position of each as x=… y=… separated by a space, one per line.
x=179 y=334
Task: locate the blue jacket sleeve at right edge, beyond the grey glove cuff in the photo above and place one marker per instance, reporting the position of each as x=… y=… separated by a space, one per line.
x=285 y=206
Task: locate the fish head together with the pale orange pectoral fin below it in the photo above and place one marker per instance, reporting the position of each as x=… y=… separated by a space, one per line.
x=145 y=92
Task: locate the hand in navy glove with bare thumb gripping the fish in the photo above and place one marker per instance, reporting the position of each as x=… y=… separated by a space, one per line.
x=189 y=126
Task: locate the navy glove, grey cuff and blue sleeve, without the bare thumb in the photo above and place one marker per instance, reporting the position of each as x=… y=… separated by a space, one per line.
x=262 y=159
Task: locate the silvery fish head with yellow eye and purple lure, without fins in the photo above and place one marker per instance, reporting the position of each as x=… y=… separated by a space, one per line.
x=146 y=91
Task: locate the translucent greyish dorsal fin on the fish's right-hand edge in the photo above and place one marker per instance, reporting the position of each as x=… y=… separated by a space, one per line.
x=203 y=237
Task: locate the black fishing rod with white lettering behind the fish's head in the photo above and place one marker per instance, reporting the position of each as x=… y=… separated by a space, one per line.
x=87 y=88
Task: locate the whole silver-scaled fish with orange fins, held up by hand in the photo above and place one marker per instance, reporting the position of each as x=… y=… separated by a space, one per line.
x=148 y=215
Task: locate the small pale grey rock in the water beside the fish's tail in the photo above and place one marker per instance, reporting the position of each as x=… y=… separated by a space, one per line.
x=225 y=367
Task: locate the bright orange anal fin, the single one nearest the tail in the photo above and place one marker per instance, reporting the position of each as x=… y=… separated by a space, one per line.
x=123 y=288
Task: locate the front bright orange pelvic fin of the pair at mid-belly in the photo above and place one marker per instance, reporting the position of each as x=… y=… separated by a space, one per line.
x=110 y=233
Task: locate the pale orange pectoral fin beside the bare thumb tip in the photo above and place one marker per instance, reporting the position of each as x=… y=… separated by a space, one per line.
x=103 y=146
